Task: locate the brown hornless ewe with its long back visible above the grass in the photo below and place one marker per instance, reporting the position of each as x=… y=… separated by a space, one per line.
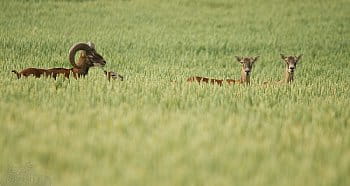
x=247 y=66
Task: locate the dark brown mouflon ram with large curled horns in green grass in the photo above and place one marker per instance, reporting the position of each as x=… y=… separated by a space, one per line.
x=88 y=58
